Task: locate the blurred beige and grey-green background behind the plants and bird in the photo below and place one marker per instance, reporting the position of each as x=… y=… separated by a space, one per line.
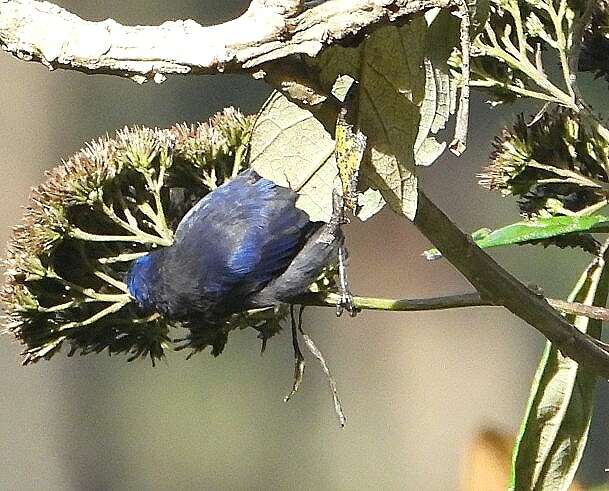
x=423 y=392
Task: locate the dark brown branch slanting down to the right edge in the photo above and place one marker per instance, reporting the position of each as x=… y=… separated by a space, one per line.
x=499 y=287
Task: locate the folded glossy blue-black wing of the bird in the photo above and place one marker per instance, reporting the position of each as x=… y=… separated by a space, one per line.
x=245 y=233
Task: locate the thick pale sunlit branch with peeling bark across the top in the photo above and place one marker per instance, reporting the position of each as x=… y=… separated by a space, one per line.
x=269 y=30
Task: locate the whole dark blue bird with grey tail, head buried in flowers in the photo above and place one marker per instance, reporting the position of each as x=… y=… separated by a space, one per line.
x=244 y=245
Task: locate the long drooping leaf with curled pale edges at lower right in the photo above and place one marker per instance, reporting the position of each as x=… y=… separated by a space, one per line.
x=555 y=429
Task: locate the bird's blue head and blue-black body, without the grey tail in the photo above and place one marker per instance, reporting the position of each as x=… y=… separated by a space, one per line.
x=227 y=247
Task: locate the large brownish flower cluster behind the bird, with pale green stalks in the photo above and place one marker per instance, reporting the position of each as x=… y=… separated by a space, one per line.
x=112 y=202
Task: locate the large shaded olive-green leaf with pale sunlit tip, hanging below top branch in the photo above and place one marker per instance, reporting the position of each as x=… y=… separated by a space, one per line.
x=390 y=69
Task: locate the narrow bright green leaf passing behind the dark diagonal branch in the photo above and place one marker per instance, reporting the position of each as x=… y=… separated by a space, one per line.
x=534 y=230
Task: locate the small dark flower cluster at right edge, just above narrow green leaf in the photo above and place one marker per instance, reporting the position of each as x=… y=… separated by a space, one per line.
x=556 y=165
